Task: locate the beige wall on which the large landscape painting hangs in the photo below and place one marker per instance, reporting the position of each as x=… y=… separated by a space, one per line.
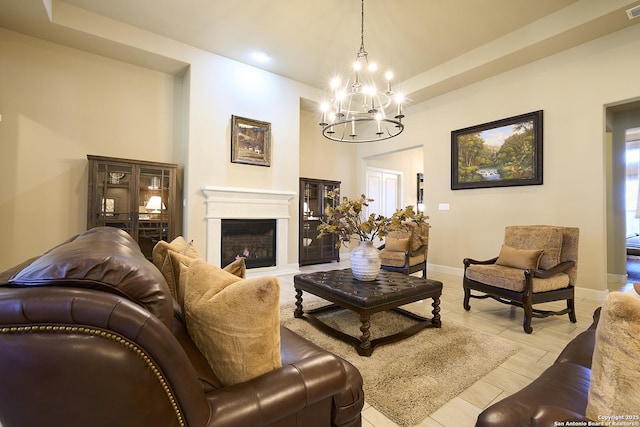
x=573 y=88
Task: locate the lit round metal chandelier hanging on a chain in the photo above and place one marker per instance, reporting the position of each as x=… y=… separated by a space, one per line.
x=359 y=111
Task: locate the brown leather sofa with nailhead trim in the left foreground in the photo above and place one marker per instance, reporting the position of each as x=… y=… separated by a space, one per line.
x=90 y=336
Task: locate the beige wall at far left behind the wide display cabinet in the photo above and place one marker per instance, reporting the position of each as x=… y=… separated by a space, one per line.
x=58 y=105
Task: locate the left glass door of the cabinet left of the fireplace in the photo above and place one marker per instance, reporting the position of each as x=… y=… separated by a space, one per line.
x=114 y=196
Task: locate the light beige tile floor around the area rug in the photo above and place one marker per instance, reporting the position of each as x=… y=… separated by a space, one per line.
x=539 y=350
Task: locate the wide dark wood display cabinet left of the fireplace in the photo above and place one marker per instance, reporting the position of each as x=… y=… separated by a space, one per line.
x=136 y=196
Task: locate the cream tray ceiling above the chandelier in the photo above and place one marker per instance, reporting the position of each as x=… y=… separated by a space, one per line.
x=309 y=40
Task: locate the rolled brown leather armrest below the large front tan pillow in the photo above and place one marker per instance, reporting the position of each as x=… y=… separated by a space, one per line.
x=277 y=394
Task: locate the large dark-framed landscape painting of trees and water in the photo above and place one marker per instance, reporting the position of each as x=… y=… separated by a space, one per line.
x=503 y=153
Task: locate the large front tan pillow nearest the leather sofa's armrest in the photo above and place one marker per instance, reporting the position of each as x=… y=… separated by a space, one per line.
x=234 y=322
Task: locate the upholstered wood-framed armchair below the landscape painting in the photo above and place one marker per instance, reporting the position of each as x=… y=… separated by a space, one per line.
x=537 y=264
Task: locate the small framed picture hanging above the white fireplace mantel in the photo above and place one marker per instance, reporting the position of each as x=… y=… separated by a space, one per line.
x=250 y=141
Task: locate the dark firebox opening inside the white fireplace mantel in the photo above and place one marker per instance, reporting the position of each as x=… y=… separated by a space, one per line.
x=252 y=239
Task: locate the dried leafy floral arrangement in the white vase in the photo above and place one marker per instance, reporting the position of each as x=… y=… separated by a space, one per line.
x=347 y=221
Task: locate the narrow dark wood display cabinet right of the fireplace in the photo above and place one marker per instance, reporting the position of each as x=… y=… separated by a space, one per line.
x=313 y=204
